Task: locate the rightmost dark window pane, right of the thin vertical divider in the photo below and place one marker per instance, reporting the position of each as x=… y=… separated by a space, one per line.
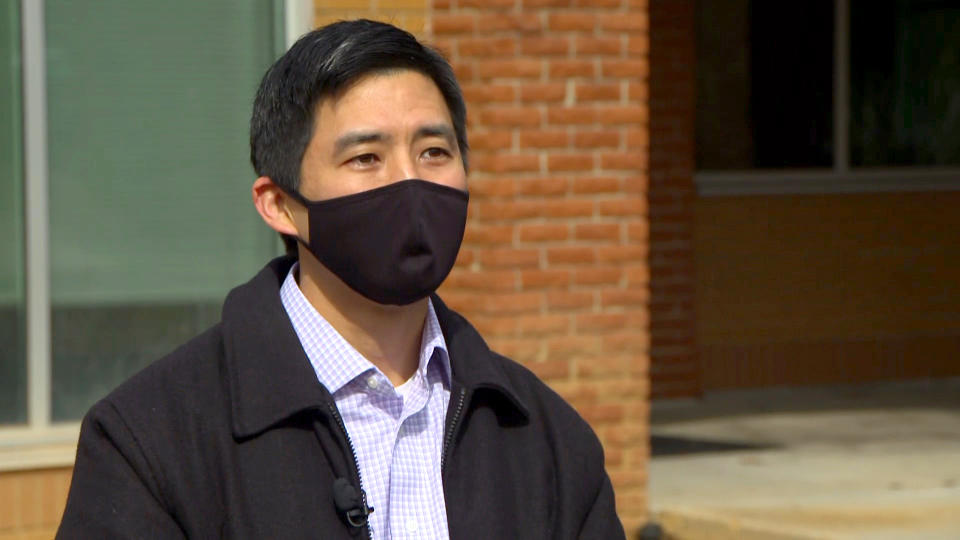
x=904 y=82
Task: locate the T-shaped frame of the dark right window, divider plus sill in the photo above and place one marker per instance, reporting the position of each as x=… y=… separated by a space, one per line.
x=840 y=178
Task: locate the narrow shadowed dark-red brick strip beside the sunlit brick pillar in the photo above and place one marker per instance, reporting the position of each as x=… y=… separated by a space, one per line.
x=674 y=364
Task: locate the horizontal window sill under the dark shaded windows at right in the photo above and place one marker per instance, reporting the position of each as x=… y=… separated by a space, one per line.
x=789 y=182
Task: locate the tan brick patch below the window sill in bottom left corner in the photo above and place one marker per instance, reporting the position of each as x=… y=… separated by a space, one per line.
x=32 y=502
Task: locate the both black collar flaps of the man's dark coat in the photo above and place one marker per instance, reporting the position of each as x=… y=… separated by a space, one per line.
x=270 y=378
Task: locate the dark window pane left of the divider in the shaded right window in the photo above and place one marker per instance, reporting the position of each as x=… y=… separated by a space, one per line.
x=764 y=84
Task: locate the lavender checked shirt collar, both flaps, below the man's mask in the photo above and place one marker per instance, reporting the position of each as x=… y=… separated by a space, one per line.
x=334 y=360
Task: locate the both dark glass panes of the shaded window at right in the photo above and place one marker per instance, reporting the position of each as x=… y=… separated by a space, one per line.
x=765 y=88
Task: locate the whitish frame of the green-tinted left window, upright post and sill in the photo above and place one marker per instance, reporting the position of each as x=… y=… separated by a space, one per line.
x=42 y=443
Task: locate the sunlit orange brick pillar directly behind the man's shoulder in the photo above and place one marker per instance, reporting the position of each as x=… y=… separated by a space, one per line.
x=554 y=268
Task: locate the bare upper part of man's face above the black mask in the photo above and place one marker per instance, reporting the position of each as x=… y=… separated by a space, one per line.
x=384 y=128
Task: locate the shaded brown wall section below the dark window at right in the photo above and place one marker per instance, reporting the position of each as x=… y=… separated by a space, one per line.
x=827 y=288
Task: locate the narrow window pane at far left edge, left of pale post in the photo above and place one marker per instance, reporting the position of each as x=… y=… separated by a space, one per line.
x=13 y=394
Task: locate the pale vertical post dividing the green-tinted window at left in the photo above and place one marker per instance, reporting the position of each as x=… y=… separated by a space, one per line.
x=36 y=213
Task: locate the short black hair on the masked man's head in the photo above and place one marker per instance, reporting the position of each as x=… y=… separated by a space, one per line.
x=321 y=64
